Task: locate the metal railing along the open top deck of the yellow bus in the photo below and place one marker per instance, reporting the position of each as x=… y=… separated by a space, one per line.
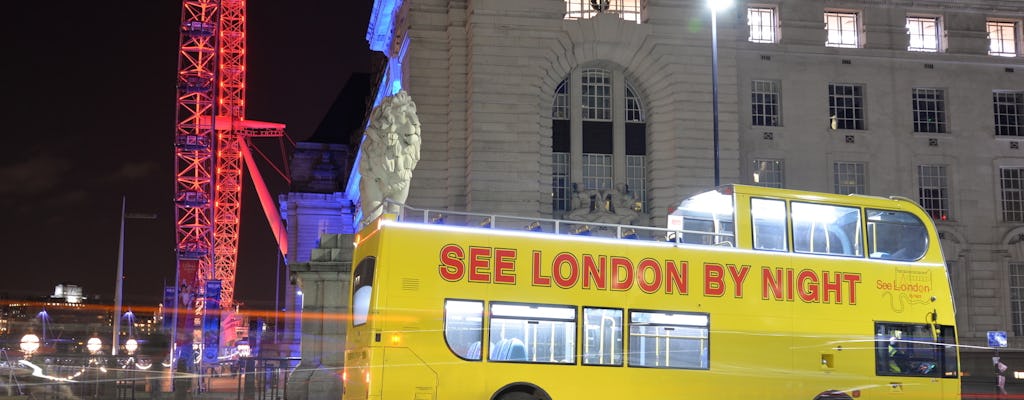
x=559 y=227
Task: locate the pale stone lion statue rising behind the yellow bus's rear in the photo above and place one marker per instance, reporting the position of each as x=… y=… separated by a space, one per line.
x=391 y=152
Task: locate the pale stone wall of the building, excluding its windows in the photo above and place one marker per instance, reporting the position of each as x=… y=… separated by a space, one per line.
x=484 y=73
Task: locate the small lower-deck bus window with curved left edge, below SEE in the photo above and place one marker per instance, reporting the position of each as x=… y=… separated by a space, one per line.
x=464 y=328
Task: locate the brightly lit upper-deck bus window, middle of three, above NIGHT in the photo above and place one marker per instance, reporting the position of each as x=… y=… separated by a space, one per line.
x=826 y=230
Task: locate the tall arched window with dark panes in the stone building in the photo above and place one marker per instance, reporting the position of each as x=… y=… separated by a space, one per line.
x=608 y=120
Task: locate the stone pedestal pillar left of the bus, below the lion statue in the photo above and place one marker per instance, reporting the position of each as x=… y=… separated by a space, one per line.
x=325 y=285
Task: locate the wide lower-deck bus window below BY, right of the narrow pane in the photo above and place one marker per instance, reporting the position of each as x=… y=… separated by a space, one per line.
x=667 y=340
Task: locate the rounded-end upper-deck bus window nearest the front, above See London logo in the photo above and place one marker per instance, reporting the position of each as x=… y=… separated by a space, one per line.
x=895 y=236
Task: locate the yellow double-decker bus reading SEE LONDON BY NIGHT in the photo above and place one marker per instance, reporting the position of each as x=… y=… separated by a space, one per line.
x=750 y=293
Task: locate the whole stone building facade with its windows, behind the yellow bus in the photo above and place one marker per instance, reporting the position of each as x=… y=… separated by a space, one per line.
x=925 y=100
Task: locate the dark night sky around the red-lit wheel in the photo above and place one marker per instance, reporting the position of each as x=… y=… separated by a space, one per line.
x=89 y=115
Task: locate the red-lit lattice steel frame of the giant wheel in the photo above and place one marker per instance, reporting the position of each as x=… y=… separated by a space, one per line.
x=211 y=139
